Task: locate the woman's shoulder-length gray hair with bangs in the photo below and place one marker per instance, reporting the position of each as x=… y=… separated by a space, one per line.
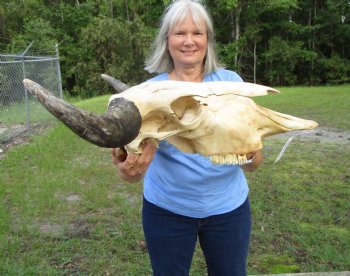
x=160 y=60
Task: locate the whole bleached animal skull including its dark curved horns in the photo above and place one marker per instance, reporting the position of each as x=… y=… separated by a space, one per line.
x=215 y=119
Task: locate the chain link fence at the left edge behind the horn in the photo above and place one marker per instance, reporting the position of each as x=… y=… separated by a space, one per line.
x=20 y=111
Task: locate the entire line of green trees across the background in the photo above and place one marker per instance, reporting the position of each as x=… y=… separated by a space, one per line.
x=289 y=42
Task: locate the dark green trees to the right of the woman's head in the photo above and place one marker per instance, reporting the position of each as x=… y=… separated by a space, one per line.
x=295 y=40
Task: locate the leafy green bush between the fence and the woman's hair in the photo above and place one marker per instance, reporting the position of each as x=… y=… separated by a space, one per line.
x=114 y=47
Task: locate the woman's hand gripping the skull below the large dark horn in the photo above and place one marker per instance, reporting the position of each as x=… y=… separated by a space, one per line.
x=132 y=167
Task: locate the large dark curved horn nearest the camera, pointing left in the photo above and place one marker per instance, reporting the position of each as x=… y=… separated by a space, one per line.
x=116 y=128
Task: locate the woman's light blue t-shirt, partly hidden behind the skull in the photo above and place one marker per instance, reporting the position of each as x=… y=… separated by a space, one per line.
x=190 y=184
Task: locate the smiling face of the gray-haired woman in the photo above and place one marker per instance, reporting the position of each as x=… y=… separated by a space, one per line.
x=187 y=43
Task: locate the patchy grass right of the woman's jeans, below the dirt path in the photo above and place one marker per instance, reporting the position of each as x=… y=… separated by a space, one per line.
x=301 y=210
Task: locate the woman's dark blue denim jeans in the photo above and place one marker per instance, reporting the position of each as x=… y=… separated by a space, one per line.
x=171 y=240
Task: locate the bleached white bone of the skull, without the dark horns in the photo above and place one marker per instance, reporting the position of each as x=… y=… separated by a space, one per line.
x=215 y=119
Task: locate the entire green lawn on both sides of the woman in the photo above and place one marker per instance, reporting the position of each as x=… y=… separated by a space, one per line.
x=300 y=206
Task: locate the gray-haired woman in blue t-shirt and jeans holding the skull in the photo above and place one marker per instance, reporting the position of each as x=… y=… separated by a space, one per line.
x=185 y=195
